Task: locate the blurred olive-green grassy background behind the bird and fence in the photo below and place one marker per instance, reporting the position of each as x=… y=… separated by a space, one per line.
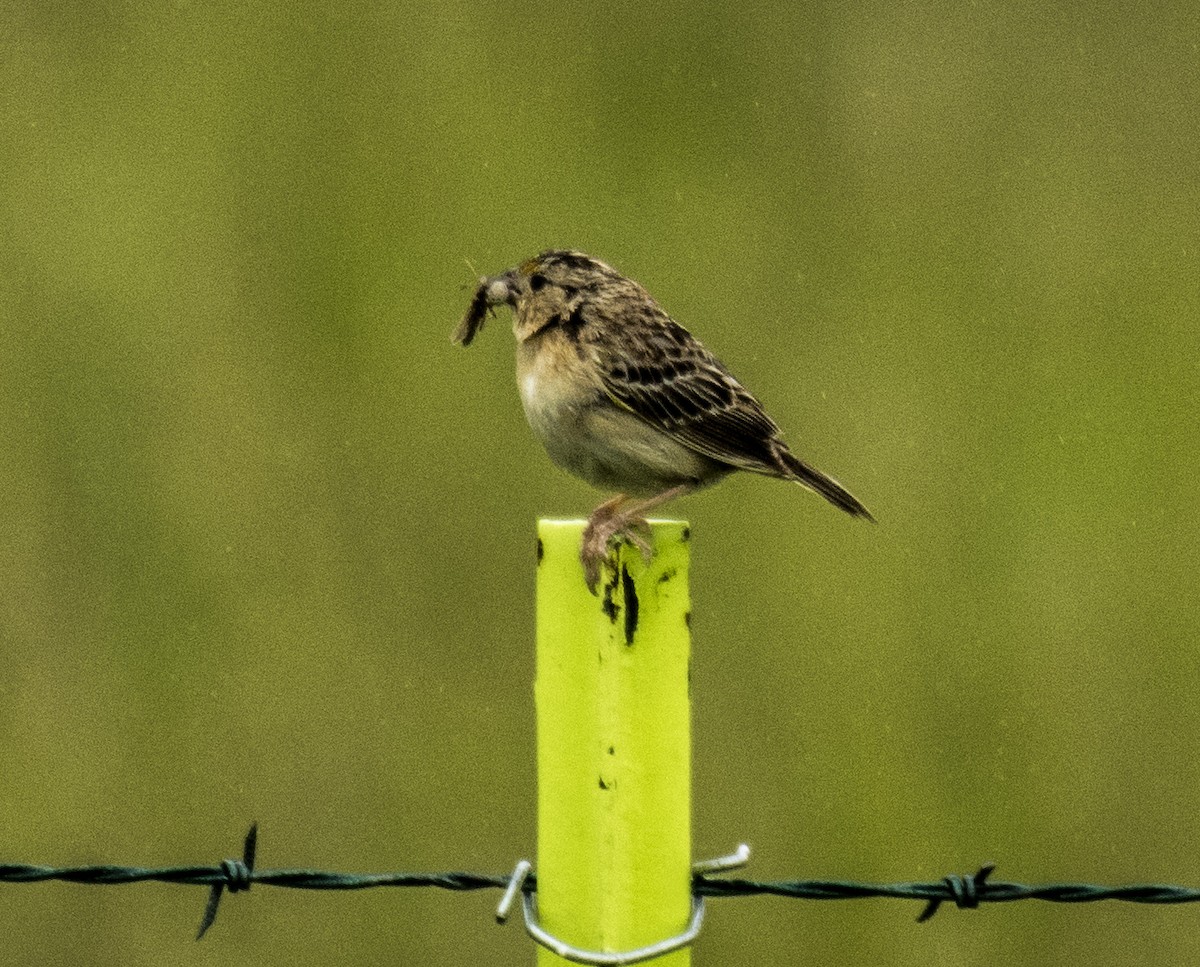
x=267 y=537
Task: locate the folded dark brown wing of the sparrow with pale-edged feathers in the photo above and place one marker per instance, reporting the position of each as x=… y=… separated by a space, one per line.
x=671 y=381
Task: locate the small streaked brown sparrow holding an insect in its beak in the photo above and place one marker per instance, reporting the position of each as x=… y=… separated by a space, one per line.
x=623 y=397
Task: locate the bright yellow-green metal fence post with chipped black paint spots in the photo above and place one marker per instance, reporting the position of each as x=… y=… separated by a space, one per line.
x=614 y=746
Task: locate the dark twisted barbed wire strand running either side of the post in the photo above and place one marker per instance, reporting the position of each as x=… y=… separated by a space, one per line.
x=238 y=875
